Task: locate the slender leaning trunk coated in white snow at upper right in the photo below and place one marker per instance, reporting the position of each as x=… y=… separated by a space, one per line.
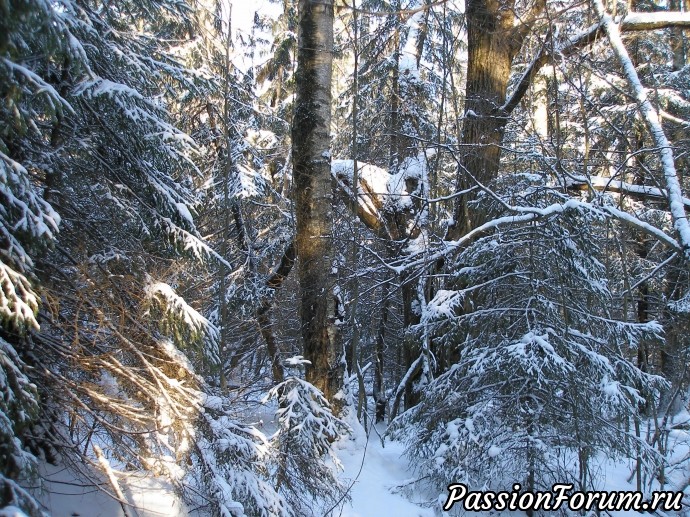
x=651 y=118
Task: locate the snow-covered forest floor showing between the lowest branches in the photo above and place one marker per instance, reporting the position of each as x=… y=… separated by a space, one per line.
x=377 y=476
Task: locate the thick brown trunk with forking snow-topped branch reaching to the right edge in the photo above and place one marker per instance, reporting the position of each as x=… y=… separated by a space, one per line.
x=494 y=39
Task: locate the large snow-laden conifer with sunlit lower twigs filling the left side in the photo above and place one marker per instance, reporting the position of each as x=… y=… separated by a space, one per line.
x=89 y=131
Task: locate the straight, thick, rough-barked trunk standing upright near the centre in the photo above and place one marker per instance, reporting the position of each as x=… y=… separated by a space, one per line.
x=313 y=194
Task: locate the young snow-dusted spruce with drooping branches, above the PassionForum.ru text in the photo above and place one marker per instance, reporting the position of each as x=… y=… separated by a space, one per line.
x=540 y=384
